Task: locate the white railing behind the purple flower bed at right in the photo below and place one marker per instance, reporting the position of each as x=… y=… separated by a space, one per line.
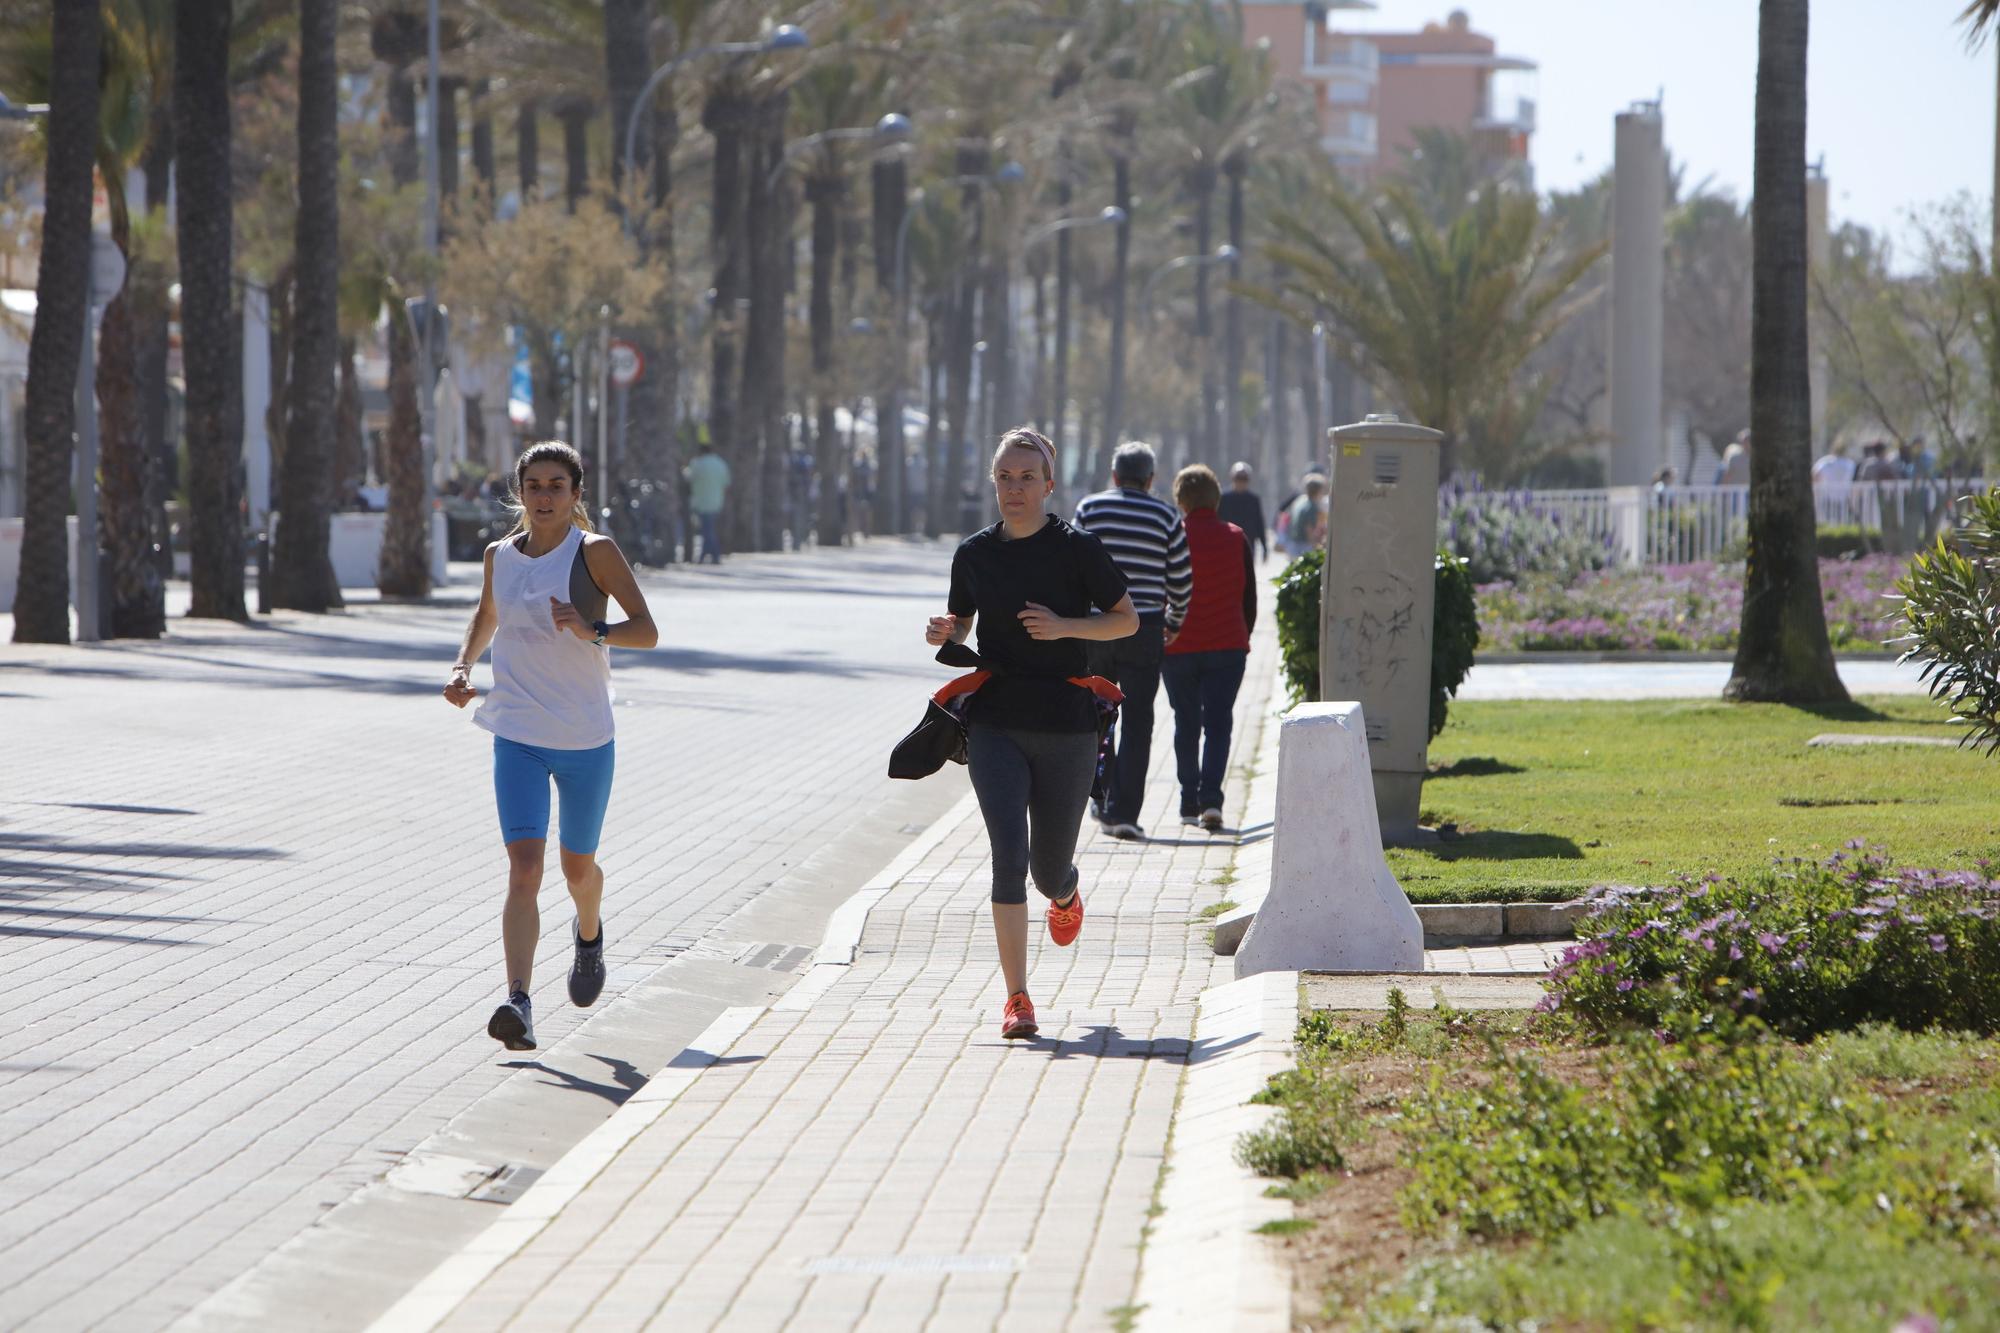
x=1685 y=525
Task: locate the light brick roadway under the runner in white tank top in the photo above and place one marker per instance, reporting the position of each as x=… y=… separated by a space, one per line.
x=251 y=884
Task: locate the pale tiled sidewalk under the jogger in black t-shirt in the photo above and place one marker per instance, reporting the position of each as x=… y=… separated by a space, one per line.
x=875 y=1156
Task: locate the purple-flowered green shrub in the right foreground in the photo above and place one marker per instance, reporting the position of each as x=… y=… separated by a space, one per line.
x=1803 y=948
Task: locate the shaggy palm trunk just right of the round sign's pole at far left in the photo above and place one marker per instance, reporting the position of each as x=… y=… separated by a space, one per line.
x=137 y=593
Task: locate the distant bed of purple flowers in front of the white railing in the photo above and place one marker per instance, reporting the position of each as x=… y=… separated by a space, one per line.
x=1677 y=607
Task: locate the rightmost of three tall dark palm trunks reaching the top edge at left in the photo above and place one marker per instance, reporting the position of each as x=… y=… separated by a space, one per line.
x=303 y=575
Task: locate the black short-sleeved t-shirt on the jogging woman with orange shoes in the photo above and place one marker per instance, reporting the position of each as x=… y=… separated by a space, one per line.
x=1063 y=569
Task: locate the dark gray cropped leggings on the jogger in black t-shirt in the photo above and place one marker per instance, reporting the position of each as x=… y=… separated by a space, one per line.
x=1033 y=788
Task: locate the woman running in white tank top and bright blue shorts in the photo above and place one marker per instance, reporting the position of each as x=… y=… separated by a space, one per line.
x=543 y=609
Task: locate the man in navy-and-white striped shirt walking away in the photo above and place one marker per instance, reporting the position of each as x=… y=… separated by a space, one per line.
x=1145 y=539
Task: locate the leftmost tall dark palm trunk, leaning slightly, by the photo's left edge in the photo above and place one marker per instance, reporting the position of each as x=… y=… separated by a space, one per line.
x=43 y=593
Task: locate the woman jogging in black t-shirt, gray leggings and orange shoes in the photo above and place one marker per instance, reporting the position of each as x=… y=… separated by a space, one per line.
x=1031 y=583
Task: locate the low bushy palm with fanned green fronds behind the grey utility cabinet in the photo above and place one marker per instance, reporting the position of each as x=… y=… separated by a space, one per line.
x=1441 y=317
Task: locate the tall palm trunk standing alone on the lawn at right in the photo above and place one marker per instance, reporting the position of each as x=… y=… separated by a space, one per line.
x=1783 y=653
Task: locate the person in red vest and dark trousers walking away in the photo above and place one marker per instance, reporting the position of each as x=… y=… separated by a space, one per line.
x=1205 y=665
